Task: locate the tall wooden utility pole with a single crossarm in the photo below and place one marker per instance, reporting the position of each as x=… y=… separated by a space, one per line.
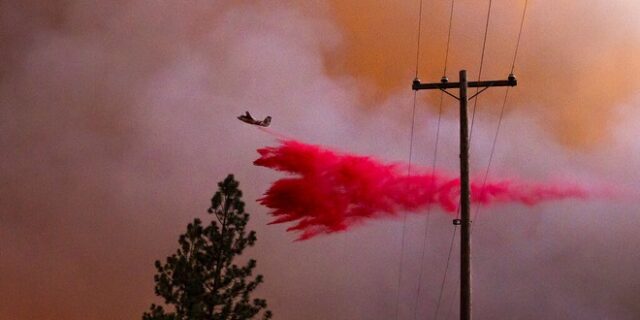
x=465 y=192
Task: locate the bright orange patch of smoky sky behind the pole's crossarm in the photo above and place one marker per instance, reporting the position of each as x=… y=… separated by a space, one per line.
x=575 y=64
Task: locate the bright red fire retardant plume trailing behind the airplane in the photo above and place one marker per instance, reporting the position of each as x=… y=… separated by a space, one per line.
x=330 y=191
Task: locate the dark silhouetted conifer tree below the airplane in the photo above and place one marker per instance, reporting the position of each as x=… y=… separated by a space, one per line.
x=200 y=280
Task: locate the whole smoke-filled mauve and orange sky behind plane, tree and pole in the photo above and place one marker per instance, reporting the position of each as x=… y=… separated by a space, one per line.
x=117 y=119
